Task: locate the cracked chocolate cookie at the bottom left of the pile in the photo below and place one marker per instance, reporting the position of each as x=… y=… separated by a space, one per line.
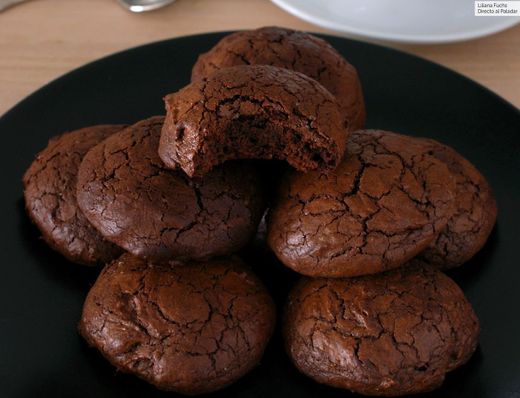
x=191 y=328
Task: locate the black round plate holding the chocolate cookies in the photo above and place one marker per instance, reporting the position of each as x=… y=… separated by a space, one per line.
x=41 y=295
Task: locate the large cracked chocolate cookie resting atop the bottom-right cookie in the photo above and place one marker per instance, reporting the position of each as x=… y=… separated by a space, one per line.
x=385 y=203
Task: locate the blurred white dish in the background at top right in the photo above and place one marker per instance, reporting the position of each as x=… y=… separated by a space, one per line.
x=412 y=21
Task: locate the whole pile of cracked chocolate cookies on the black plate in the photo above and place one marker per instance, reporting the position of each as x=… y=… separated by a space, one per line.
x=371 y=218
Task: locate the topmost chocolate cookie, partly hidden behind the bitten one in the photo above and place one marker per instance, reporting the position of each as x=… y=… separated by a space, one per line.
x=293 y=50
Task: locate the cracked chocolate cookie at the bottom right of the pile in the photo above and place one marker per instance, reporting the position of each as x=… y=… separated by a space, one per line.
x=389 y=334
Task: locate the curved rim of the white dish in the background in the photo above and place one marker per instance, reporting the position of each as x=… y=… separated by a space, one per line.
x=298 y=12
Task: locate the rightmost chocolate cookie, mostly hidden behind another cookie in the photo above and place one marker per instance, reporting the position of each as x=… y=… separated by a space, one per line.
x=475 y=213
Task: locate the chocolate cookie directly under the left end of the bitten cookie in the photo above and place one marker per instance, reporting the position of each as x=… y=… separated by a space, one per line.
x=134 y=201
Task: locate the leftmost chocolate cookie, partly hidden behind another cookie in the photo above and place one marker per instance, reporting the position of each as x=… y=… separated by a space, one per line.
x=50 y=197
